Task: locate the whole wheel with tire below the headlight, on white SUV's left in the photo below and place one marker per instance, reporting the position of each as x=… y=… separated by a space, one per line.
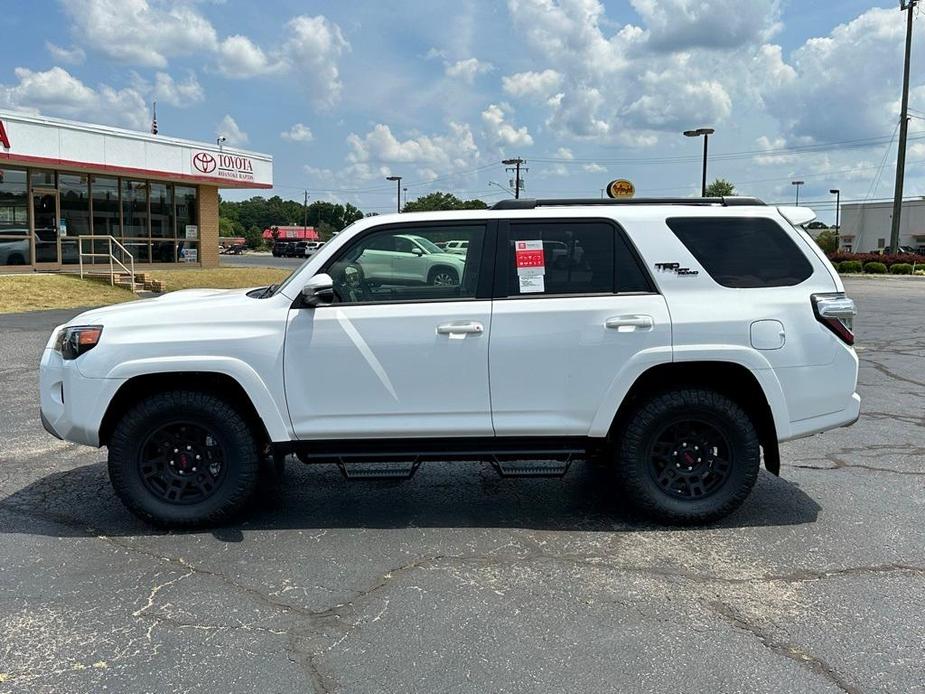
x=183 y=459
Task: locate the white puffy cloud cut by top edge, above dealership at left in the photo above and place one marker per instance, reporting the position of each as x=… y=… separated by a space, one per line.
x=139 y=32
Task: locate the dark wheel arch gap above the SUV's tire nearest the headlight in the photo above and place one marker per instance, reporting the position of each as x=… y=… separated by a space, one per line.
x=214 y=382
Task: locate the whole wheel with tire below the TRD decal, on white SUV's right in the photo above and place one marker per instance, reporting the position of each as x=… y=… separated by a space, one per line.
x=689 y=456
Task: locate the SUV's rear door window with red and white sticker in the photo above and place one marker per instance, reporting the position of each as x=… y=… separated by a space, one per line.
x=570 y=257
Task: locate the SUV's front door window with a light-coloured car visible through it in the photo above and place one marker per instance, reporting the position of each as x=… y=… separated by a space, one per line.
x=406 y=264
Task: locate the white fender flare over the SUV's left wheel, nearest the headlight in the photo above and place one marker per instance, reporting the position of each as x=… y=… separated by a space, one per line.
x=277 y=423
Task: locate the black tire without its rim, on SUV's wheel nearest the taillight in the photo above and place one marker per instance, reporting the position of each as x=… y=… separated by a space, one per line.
x=636 y=471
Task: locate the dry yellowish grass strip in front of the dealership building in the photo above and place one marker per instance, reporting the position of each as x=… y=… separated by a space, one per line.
x=19 y=293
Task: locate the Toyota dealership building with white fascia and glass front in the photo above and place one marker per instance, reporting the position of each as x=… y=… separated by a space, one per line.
x=67 y=187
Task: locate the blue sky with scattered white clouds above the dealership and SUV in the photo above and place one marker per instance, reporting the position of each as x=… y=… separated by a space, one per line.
x=343 y=94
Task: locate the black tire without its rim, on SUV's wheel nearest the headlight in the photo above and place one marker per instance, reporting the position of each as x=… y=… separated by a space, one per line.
x=238 y=445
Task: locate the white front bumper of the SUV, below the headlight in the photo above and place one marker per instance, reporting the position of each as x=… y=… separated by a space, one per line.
x=72 y=405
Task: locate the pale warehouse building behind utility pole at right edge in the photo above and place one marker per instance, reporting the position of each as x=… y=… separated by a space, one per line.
x=866 y=226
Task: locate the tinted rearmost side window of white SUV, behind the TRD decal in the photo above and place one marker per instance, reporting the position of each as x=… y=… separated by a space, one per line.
x=743 y=252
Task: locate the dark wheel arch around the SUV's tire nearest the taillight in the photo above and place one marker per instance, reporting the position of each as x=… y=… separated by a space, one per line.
x=729 y=378
